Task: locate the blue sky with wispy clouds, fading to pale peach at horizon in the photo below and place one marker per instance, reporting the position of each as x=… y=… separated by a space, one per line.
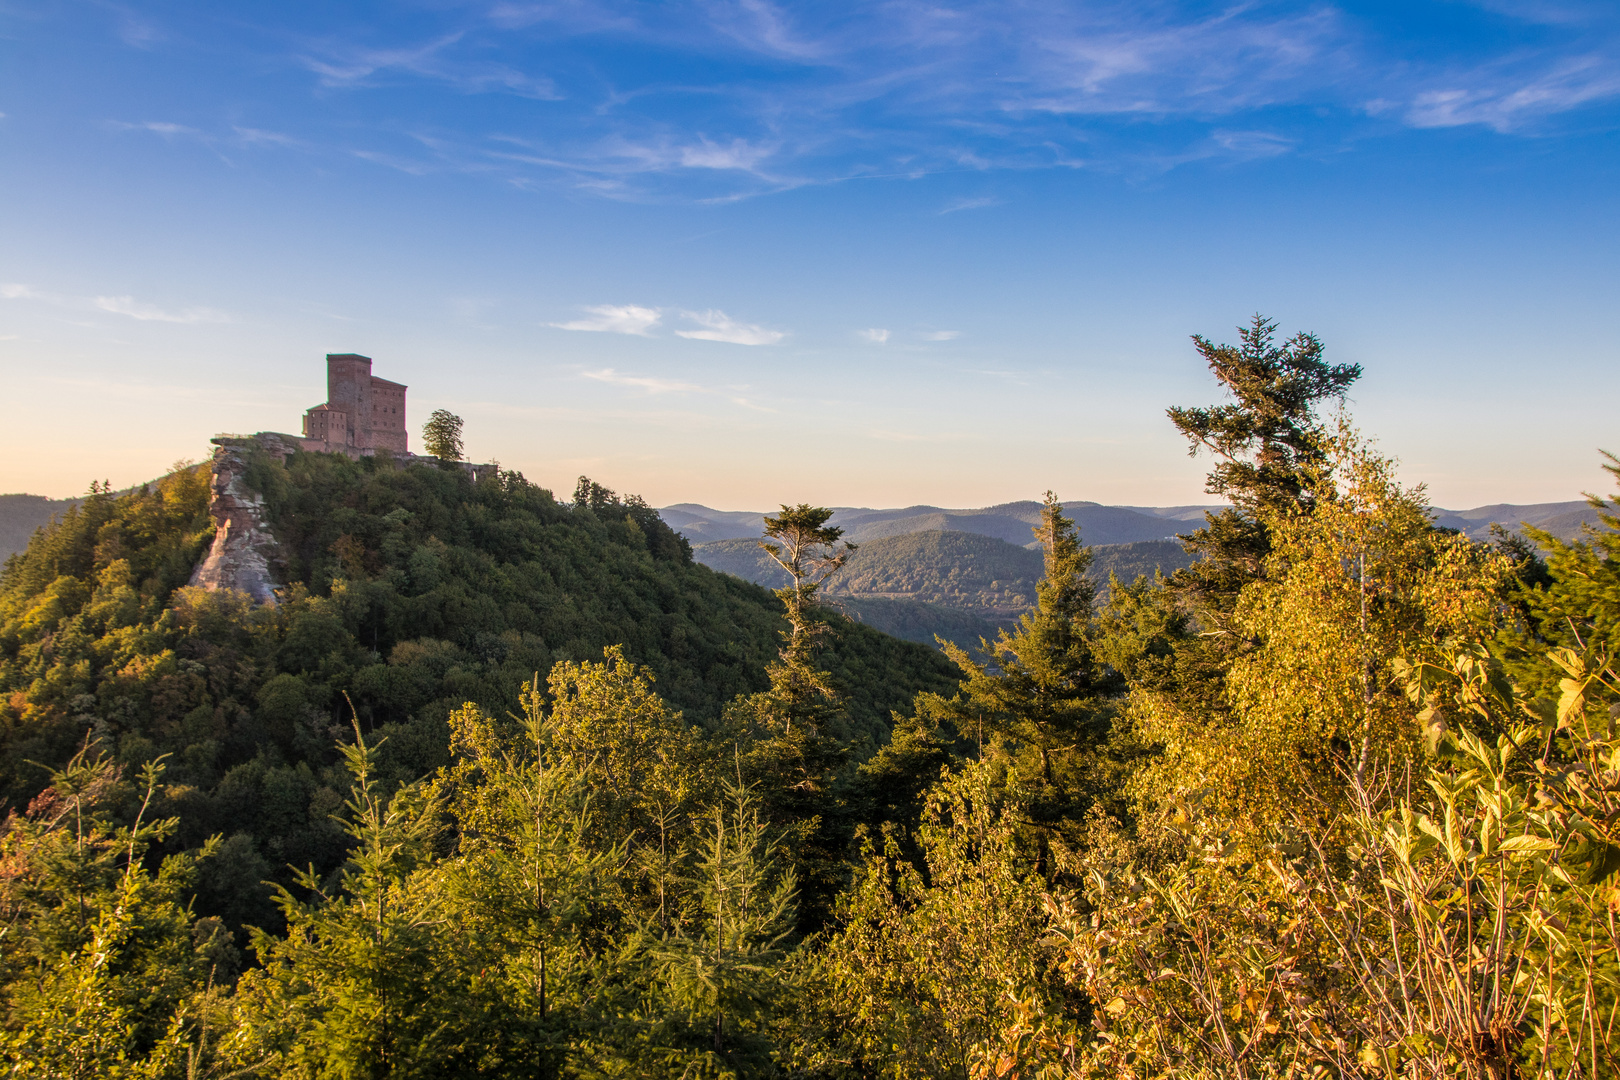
x=746 y=253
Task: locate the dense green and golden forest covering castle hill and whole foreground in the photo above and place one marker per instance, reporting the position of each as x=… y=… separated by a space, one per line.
x=1337 y=799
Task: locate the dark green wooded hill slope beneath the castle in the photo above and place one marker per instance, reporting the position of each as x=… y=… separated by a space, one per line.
x=412 y=590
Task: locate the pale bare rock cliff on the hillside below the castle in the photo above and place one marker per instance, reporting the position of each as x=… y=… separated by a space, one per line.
x=245 y=555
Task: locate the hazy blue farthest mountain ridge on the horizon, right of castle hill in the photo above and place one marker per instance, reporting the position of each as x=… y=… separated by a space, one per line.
x=1012 y=522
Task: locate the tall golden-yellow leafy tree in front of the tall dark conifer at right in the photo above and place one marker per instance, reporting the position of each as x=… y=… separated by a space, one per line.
x=1352 y=587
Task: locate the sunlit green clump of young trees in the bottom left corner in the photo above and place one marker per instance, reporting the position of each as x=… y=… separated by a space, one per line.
x=104 y=969
